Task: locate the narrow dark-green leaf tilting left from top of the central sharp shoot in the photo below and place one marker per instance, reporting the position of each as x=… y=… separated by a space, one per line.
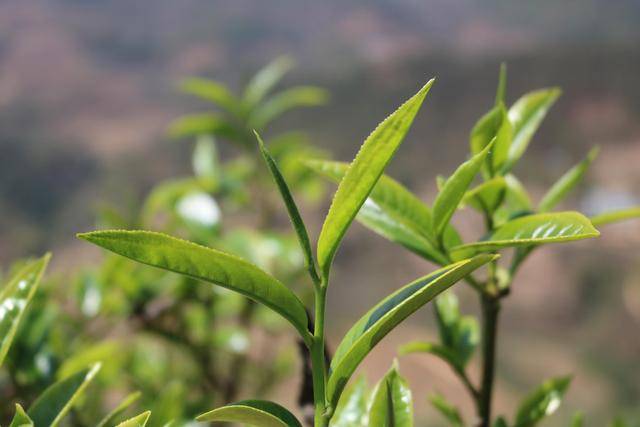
x=292 y=210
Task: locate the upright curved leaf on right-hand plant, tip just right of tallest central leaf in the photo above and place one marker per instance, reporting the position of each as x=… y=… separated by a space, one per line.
x=454 y=190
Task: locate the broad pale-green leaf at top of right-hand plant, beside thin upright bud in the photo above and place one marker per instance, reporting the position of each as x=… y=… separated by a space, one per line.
x=526 y=115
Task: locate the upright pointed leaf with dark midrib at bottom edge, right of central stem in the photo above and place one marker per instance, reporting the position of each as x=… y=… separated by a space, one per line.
x=392 y=404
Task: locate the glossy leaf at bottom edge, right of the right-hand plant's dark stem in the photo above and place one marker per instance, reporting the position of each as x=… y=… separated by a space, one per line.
x=543 y=402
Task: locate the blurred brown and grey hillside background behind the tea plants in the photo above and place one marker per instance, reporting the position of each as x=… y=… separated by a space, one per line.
x=89 y=88
